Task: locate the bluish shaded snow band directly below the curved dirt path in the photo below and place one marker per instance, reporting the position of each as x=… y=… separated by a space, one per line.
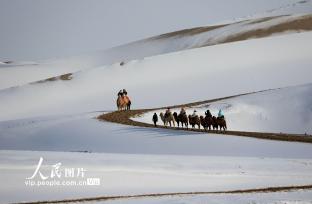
x=82 y=132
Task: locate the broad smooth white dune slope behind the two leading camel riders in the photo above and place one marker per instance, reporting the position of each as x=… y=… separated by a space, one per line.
x=175 y=78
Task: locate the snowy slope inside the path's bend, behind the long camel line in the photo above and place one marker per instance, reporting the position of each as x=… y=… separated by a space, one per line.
x=286 y=110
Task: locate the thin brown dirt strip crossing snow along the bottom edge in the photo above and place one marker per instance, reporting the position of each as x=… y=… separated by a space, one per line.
x=158 y=195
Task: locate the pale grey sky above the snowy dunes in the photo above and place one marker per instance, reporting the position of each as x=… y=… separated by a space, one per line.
x=45 y=29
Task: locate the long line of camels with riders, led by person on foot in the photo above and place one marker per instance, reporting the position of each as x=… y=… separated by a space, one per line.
x=208 y=122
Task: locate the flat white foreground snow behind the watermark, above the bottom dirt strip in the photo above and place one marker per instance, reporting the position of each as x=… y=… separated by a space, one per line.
x=125 y=174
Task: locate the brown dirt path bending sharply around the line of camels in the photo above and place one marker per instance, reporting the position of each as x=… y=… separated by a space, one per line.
x=124 y=117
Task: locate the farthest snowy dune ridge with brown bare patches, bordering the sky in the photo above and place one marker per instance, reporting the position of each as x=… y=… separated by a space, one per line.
x=11 y=75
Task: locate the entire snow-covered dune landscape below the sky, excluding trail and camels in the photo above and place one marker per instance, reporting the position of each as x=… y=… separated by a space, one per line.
x=55 y=118
